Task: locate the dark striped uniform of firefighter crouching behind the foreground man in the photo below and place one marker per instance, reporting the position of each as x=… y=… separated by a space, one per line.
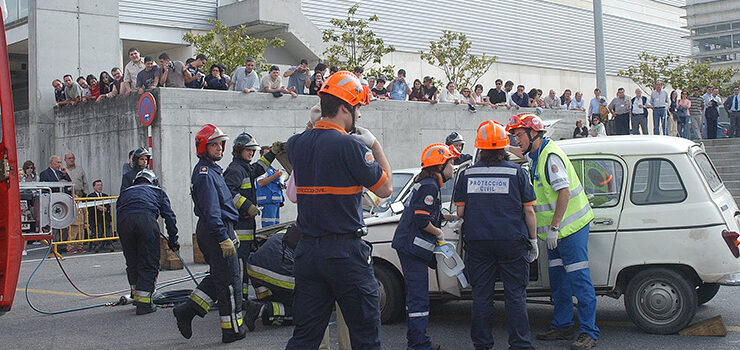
x=271 y=272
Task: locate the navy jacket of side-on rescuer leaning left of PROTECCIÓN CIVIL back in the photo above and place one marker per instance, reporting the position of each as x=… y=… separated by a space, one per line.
x=422 y=207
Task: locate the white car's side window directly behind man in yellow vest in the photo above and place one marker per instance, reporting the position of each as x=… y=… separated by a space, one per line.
x=601 y=180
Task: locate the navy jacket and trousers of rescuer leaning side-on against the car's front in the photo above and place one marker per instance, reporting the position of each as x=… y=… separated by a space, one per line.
x=415 y=248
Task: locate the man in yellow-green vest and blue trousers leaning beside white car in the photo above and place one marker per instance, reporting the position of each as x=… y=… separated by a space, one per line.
x=563 y=220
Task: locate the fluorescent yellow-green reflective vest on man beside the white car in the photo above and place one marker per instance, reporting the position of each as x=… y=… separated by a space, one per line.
x=579 y=212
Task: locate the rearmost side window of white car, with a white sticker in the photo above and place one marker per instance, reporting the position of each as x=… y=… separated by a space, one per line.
x=656 y=181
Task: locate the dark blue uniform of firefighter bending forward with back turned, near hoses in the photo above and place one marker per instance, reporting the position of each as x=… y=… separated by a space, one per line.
x=138 y=207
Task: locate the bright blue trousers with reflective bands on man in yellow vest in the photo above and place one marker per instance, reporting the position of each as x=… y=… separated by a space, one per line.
x=569 y=276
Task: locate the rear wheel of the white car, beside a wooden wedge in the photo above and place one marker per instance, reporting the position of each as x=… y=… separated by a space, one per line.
x=660 y=300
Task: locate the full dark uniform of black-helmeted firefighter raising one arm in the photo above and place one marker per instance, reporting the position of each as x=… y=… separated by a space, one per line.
x=240 y=178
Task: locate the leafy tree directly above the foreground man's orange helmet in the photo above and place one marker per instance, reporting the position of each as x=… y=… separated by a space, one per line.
x=353 y=43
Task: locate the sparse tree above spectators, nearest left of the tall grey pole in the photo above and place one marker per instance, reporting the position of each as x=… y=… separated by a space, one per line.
x=451 y=53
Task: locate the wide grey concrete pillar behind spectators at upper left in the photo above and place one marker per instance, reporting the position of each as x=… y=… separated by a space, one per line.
x=76 y=37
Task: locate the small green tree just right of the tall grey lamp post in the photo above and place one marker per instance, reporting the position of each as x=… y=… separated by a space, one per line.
x=650 y=70
